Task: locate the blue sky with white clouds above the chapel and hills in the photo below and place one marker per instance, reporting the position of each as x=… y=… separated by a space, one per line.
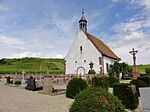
x=47 y=28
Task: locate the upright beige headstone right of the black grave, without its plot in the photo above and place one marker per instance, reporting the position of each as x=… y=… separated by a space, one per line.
x=47 y=87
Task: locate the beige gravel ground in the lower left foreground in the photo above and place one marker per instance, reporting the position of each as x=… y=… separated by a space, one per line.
x=14 y=99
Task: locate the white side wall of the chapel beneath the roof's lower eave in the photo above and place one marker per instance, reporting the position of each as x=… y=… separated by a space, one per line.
x=109 y=61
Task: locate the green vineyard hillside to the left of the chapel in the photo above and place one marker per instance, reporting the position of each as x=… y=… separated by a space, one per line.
x=33 y=65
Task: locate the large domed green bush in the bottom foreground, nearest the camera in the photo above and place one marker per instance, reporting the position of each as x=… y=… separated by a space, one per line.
x=96 y=100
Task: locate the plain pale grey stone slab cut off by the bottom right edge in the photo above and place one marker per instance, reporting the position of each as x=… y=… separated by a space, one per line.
x=145 y=98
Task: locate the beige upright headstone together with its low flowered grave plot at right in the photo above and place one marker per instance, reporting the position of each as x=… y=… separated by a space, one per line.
x=49 y=89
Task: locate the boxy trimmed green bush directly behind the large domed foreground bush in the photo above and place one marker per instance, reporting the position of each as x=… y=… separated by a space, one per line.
x=100 y=81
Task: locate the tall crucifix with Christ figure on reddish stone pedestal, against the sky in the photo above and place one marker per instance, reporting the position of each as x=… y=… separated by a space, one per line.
x=135 y=72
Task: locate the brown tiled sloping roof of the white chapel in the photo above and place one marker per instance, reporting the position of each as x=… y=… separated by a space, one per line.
x=102 y=47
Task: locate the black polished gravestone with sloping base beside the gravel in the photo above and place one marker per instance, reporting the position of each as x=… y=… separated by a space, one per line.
x=32 y=85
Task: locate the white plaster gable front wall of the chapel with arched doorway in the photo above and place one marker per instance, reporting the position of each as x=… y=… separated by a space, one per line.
x=89 y=53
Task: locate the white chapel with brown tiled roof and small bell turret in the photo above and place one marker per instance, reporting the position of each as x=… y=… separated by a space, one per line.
x=88 y=49
